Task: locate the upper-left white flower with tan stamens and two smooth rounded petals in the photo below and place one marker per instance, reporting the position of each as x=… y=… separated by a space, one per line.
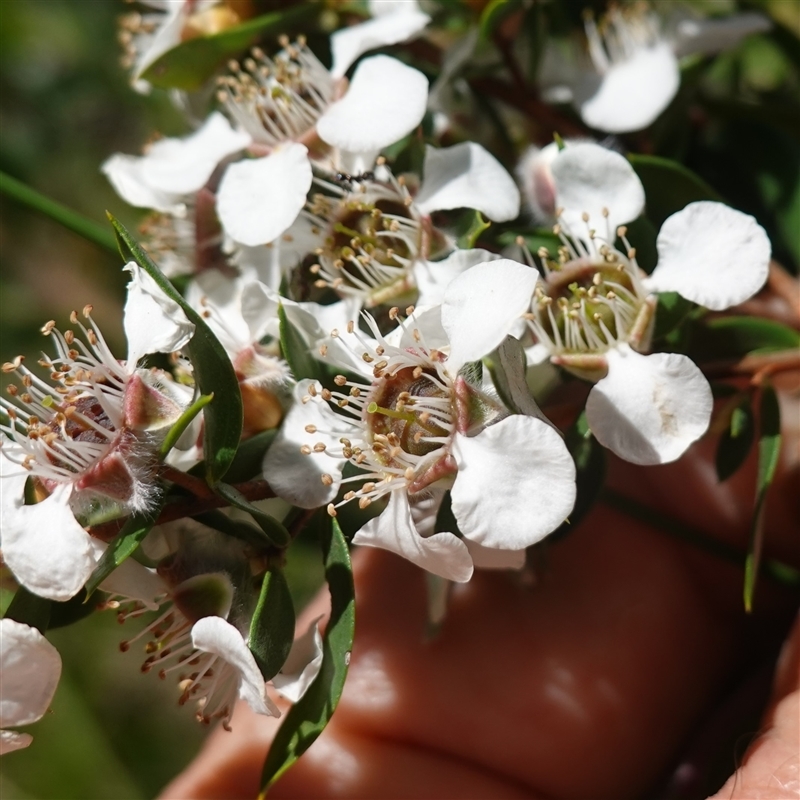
x=291 y=105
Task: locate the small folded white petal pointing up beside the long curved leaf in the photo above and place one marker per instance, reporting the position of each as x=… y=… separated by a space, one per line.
x=153 y=322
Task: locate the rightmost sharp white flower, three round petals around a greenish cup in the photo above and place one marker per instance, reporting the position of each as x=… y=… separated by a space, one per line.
x=593 y=312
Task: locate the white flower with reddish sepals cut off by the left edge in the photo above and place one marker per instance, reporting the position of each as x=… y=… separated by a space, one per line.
x=87 y=436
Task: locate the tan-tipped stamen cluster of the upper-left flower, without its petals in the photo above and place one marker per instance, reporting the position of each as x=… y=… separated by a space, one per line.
x=281 y=99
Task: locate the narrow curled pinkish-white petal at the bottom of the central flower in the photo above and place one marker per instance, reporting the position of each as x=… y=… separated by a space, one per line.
x=442 y=554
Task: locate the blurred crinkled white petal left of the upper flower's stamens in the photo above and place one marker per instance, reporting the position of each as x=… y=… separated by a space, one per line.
x=173 y=170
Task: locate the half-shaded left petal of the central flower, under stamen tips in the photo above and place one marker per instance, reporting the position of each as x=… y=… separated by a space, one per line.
x=295 y=477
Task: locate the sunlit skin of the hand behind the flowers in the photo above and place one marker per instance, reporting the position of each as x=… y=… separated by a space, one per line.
x=584 y=685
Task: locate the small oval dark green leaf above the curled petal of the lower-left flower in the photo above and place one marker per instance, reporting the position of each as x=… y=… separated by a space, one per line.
x=272 y=627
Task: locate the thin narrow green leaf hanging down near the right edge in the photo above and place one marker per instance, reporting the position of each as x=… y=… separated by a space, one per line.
x=769 y=448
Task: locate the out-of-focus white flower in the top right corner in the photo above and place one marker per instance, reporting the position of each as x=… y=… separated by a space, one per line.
x=632 y=71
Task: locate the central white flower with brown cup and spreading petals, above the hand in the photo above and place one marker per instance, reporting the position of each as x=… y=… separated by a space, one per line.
x=414 y=423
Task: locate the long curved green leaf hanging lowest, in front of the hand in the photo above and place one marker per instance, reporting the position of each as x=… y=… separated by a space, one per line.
x=309 y=716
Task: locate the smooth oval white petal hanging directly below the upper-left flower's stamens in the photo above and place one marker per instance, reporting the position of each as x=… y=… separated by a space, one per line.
x=260 y=198
